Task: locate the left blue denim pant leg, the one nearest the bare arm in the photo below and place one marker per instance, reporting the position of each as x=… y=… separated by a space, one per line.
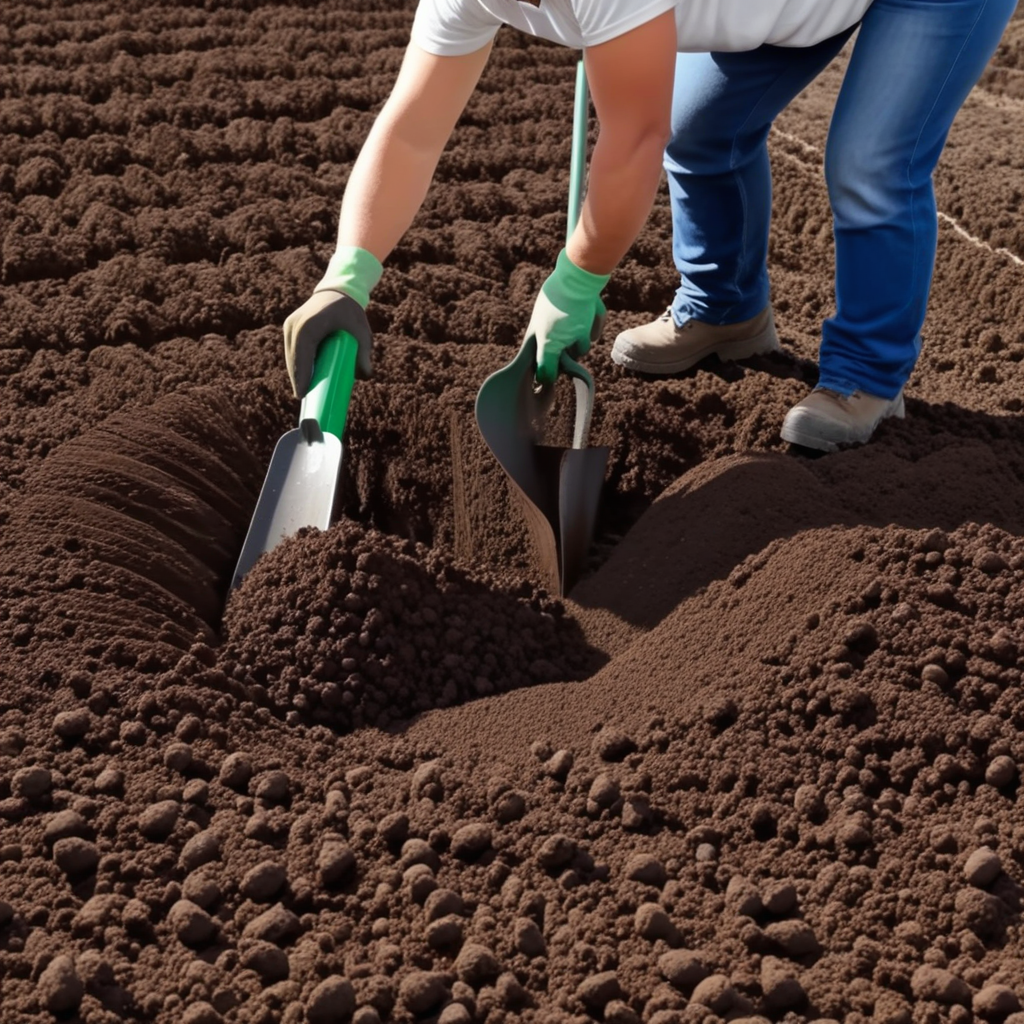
x=719 y=176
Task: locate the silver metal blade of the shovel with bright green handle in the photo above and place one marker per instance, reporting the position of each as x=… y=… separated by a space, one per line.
x=298 y=491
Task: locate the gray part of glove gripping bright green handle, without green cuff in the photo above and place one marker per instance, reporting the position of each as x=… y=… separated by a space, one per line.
x=324 y=313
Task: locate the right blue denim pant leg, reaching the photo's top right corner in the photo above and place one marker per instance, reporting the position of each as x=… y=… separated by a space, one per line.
x=913 y=66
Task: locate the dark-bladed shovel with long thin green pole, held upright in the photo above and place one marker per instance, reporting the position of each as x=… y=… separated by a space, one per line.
x=560 y=489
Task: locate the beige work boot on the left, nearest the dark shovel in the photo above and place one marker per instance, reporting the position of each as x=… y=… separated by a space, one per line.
x=661 y=348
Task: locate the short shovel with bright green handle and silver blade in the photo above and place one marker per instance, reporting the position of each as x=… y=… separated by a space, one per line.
x=303 y=478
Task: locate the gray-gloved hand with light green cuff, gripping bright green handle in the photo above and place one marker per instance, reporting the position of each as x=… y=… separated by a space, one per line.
x=337 y=305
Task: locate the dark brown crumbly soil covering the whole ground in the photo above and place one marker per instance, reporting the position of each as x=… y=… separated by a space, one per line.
x=763 y=763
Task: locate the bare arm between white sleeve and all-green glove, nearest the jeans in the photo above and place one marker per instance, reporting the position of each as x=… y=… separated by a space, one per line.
x=631 y=81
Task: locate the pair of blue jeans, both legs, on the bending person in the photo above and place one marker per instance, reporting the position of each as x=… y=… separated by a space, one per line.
x=913 y=66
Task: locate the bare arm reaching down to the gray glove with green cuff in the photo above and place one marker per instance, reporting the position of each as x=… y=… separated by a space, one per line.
x=398 y=162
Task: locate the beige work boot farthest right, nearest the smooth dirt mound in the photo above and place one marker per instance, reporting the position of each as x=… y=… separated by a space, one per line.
x=826 y=419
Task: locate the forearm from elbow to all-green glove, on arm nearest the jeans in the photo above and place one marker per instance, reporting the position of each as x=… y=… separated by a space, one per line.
x=624 y=182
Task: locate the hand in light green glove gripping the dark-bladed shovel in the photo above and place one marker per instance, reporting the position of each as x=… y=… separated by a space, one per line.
x=569 y=316
